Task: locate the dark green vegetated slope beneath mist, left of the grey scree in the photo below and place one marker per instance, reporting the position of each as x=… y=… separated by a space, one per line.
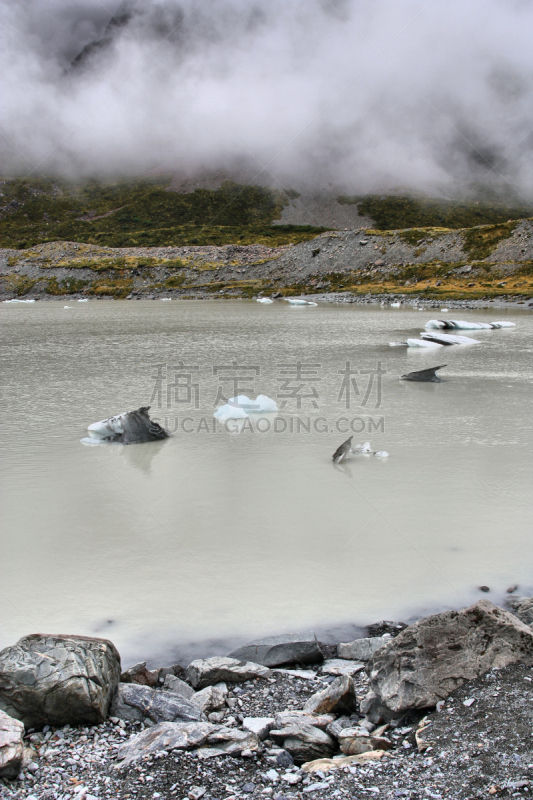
x=143 y=213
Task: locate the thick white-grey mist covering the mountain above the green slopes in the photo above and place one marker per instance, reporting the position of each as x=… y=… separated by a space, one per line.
x=432 y=96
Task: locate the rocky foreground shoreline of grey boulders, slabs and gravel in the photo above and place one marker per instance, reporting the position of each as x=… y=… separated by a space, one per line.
x=441 y=708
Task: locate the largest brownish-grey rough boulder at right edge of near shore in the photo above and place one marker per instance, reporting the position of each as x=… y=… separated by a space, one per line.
x=431 y=658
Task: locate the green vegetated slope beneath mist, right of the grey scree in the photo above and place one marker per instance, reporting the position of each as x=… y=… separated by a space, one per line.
x=392 y=212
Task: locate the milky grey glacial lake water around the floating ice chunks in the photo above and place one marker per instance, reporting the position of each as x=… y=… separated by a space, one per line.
x=188 y=546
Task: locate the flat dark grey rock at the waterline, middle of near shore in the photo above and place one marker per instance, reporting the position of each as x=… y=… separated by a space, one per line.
x=290 y=648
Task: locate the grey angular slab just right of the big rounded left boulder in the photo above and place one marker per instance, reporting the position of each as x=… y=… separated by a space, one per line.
x=133 y=703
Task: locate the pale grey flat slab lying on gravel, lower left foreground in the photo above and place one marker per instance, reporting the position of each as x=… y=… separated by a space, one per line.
x=164 y=736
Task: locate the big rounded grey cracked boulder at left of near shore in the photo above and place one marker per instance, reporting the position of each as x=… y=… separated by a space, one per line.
x=58 y=680
